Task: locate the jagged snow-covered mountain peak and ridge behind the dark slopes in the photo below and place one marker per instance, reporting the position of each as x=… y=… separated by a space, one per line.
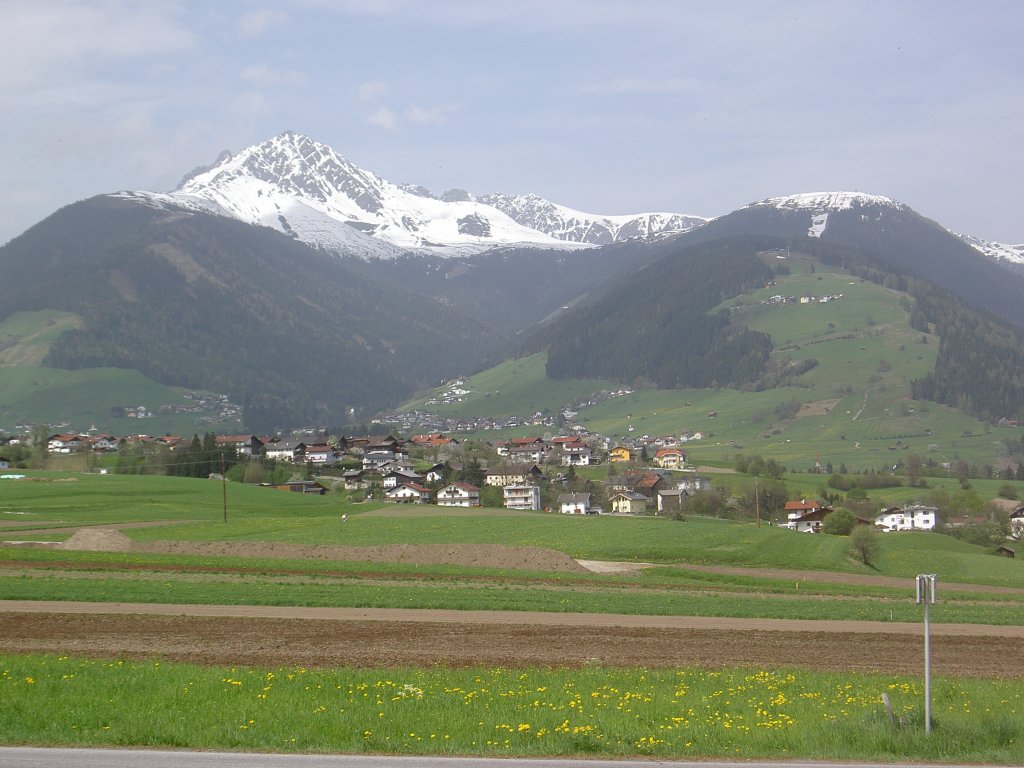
x=307 y=191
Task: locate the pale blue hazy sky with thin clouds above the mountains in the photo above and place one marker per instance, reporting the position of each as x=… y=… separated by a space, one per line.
x=604 y=106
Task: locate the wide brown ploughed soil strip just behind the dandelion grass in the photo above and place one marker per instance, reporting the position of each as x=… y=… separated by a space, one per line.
x=268 y=636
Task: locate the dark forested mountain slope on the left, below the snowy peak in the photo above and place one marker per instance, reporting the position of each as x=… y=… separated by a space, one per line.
x=208 y=303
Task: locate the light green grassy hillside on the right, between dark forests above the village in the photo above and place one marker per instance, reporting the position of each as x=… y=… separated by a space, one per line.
x=856 y=406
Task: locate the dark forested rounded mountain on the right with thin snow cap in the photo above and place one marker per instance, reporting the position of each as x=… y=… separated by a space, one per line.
x=656 y=327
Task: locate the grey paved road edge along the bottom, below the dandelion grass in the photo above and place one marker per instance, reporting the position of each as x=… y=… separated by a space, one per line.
x=40 y=758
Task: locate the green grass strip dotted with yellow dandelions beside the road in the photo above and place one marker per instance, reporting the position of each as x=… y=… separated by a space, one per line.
x=592 y=712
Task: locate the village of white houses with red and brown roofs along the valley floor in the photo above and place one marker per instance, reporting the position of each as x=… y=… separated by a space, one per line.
x=651 y=477
